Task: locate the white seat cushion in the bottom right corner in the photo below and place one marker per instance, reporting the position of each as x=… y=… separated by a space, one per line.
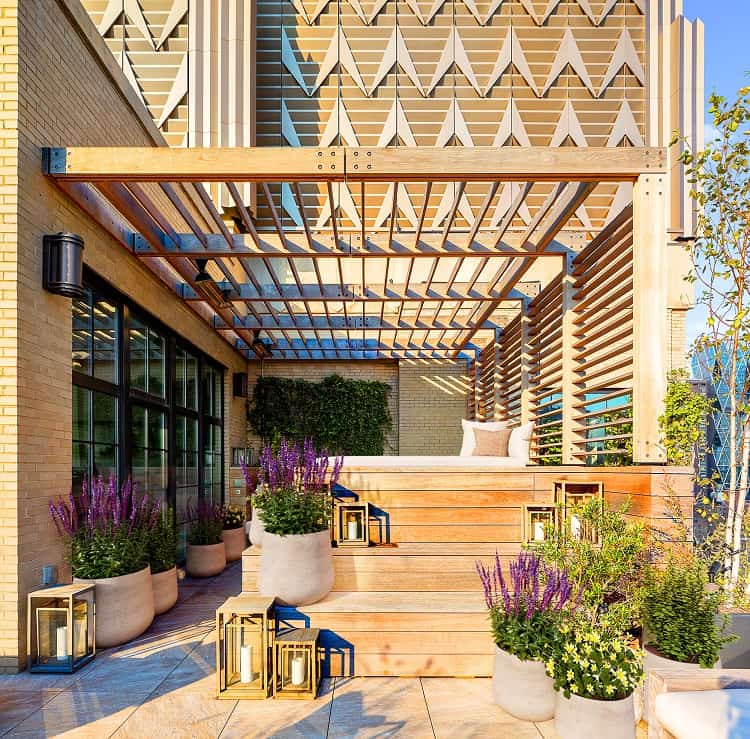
x=705 y=714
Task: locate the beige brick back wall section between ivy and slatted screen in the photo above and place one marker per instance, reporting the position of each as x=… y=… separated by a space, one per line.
x=433 y=399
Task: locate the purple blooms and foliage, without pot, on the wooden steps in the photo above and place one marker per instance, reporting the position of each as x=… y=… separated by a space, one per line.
x=293 y=494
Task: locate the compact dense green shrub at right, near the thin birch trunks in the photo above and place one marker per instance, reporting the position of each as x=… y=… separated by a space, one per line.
x=680 y=615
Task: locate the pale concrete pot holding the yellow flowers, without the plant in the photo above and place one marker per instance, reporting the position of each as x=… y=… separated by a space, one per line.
x=585 y=718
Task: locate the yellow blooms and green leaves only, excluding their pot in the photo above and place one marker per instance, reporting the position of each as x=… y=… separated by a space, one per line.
x=594 y=664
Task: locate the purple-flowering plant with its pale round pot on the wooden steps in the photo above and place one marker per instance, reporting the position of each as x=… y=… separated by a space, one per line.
x=296 y=563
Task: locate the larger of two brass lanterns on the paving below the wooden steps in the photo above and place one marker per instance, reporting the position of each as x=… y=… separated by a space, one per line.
x=244 y=647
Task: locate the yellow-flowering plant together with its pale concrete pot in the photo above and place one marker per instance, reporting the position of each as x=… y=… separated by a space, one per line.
x=595 y=675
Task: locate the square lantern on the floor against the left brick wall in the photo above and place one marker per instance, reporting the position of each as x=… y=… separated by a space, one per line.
x=61 y=626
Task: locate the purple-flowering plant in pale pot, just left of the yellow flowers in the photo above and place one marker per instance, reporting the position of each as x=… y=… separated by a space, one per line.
x=524 y=614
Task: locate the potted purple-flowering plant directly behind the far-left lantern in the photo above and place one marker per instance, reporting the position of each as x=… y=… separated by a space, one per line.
x=107 y=531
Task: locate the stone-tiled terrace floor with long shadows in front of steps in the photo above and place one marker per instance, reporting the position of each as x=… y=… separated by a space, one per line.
x=162 y=685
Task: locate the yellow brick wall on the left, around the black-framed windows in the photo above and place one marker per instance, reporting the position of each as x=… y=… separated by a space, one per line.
x=66 y=91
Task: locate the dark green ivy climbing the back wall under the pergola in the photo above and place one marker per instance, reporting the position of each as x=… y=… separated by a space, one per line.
x=341 y=415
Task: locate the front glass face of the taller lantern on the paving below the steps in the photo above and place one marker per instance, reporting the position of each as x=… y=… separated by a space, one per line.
x=244 y=653
